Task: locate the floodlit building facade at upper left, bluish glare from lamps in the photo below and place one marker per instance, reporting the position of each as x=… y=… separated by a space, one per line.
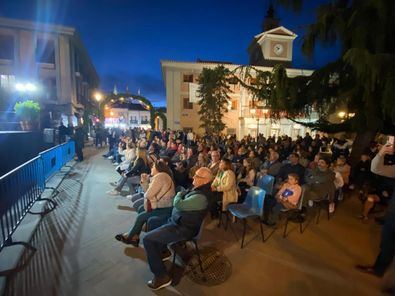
x=50 y=60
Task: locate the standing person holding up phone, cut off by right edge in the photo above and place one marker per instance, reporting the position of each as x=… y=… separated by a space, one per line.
x=387 y=246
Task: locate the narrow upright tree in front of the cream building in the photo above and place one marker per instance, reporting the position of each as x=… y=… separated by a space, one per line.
x=213 y=91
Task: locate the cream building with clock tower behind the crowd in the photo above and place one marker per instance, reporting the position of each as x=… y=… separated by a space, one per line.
x=270 y=47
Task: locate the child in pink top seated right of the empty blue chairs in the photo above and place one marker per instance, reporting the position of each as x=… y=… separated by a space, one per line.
x=287 y=197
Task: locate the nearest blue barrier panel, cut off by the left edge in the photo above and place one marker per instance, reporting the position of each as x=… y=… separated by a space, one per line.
x=19 y=189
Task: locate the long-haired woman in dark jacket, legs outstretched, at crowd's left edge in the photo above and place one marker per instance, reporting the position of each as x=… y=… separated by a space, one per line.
x=132 y=175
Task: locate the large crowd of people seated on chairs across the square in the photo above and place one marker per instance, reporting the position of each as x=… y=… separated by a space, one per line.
x=162 y=170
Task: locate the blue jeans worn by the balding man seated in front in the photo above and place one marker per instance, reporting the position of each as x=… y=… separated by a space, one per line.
x=156 y=241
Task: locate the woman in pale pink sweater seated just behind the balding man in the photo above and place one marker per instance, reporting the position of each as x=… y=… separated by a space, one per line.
x=158 y=202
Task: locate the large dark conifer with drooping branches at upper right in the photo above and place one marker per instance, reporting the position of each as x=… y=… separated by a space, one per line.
x=362 y=79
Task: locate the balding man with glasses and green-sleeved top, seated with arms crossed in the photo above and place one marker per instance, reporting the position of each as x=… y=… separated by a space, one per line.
x=190 y=208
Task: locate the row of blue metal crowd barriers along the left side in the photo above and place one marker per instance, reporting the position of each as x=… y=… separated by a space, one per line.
x=23 y=186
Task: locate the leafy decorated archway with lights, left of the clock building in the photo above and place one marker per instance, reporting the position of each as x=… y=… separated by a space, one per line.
x=112 y=98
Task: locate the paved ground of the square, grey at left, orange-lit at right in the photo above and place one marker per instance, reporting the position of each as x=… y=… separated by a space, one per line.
x=78 y=255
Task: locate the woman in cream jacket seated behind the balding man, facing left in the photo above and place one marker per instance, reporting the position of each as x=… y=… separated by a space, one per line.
x=225 y=185
